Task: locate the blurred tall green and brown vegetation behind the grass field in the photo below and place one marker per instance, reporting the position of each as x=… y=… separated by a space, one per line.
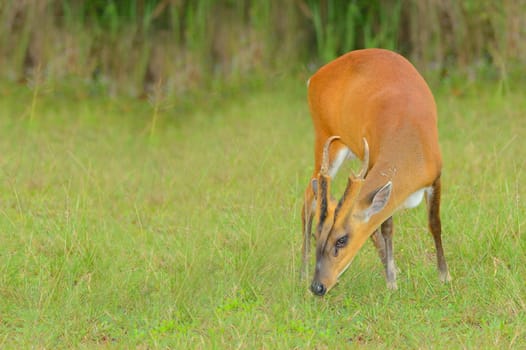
x=142 y=47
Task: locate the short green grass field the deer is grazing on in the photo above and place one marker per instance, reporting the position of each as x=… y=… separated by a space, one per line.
x=114 y=234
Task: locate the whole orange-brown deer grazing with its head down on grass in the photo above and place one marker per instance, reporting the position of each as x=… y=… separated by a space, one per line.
x=370 y=104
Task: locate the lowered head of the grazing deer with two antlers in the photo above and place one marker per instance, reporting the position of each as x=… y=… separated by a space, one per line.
x=342 y=225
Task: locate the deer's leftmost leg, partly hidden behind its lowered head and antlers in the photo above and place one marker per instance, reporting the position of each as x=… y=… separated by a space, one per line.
x=337 y=155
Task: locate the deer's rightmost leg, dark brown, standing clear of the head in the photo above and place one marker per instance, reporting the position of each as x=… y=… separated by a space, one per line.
x=435 y=226
